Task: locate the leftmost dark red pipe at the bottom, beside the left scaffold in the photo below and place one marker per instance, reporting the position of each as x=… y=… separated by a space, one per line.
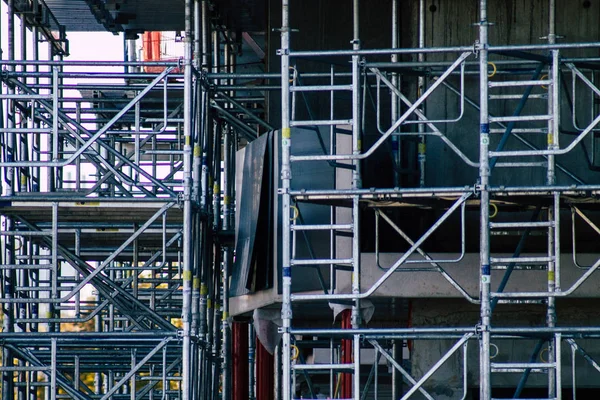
x=239 y=361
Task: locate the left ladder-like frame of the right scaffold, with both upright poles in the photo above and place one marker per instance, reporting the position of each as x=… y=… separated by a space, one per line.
x=292 y=225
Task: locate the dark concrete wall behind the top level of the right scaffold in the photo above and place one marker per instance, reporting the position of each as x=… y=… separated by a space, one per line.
x=324 y=25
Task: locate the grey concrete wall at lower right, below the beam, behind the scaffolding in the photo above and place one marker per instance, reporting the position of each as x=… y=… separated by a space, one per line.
x=447 y=382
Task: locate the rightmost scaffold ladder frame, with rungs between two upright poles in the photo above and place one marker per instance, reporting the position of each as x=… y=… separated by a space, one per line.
x=531 y=264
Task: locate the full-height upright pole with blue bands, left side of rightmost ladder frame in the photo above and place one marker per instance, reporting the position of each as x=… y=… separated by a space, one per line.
x=484 y=174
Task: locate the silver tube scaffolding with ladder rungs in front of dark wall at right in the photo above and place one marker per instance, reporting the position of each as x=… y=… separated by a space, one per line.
x=519 y=71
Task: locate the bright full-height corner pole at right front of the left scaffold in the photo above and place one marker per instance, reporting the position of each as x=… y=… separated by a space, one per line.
x=187 y=206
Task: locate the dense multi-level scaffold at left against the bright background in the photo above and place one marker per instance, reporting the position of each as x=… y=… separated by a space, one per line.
x=118 y=216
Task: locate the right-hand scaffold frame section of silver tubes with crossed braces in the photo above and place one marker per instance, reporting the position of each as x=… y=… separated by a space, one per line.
x=485 y=195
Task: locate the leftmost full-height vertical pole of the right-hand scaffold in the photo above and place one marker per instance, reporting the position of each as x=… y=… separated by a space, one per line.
x=286 y=175
